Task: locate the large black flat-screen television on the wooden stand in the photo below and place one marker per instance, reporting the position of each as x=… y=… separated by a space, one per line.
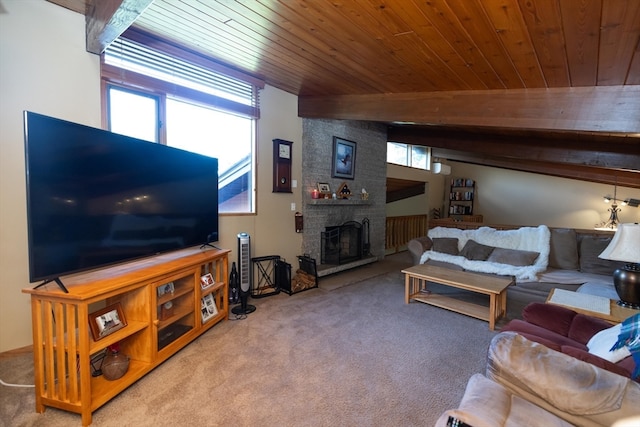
x=96 y=198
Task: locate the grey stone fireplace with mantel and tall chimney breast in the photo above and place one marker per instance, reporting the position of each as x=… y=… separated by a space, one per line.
x=342 y=250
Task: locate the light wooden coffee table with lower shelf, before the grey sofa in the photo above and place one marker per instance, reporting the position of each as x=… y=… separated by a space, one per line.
x=418 y=276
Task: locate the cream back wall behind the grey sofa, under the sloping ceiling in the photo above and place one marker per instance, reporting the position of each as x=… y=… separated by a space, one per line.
x=509 y=197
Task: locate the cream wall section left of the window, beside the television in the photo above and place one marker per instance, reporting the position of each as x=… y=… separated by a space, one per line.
x=43 y=68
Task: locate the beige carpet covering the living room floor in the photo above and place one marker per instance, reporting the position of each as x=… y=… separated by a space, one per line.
x=356 y=355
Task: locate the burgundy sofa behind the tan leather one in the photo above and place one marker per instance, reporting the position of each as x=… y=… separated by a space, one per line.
x=564 y=330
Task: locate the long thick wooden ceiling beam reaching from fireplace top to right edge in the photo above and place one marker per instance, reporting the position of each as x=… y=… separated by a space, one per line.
x=593 y=109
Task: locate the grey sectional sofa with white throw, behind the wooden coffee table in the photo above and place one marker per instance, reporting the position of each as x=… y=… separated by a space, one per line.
x=539 y=258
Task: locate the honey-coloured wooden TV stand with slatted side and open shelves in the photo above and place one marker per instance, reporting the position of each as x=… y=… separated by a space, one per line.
x=63 y=344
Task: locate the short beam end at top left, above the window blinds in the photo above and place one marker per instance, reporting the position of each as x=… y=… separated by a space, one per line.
x=107 y=19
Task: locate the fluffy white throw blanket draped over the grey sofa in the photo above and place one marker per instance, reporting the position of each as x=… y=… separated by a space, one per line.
x=535 y=239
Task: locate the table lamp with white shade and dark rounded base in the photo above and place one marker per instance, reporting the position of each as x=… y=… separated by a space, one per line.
x=625 y=246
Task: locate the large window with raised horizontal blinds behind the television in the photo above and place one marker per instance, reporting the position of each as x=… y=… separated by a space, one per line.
x=171 y=96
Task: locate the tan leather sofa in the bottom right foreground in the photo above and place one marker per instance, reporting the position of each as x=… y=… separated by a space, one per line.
x=527 y=383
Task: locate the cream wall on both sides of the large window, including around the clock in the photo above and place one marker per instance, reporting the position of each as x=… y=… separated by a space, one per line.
x=45 y=68
